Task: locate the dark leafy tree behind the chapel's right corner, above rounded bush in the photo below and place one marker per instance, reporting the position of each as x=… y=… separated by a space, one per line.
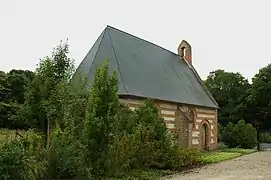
x=230 y=91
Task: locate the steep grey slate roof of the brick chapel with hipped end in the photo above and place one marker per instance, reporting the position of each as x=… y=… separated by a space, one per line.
x=146 y=70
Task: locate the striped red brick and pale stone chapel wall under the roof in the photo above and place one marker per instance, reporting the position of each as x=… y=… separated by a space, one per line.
x=187 y=122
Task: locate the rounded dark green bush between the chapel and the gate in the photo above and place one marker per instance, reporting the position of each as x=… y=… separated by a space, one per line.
x=240 y=135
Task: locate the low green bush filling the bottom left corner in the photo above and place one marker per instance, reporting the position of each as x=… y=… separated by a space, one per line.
x=23 y=158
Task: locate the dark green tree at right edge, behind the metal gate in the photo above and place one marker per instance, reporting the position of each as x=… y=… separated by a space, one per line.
x=259 y=99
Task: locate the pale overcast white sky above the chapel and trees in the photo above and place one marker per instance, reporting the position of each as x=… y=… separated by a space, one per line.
x=231 y=35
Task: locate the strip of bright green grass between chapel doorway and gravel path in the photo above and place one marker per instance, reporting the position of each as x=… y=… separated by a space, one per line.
x=224 y=154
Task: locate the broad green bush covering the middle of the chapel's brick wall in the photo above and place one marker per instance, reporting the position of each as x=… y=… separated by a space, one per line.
x=147 y=144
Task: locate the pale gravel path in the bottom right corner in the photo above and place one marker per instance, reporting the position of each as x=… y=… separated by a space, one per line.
x=249 y=167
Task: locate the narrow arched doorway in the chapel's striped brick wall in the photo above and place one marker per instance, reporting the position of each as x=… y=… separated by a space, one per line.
x=205 y=134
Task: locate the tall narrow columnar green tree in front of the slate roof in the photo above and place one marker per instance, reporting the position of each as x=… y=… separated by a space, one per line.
x=100 y=115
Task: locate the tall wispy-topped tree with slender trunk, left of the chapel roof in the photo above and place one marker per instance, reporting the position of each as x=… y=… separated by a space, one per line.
x=46 y=95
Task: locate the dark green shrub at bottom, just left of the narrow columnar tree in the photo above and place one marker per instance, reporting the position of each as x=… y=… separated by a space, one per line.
x=65 y=155
